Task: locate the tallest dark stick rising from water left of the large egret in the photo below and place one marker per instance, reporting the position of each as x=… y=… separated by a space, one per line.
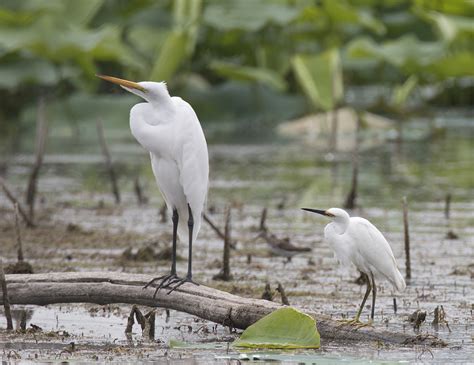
x=41 y=135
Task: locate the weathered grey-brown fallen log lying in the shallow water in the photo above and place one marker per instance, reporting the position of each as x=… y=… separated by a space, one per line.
x=202 y=301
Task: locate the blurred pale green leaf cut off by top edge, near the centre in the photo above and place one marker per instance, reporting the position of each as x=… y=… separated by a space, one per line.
x=247 y=15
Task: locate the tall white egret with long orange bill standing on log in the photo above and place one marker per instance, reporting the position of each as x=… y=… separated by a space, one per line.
x=169 y=129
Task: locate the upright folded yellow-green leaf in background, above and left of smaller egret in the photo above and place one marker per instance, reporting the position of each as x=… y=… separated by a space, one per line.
x=320 y=77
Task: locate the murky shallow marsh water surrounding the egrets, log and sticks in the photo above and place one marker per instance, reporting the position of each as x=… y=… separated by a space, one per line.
x=283 y=177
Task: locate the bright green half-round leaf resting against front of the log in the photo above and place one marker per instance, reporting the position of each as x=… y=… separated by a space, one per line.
x=285 y=328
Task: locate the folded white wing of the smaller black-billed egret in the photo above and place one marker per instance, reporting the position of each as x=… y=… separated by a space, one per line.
x=375 y=250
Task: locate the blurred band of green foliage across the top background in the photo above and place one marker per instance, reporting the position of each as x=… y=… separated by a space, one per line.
x=293 y=48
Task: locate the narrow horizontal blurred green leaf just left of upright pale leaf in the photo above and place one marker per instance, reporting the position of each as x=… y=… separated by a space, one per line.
x=246 y=73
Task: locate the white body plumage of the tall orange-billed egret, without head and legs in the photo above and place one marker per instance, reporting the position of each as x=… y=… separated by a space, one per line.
x=179 y=158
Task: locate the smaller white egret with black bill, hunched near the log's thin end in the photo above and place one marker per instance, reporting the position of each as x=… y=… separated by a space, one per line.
x=356 y=240
